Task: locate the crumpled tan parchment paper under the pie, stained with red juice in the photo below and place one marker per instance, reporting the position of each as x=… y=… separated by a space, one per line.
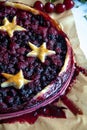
x=78 y=94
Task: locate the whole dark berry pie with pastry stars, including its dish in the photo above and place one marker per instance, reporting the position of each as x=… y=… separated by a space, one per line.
x=36 y=60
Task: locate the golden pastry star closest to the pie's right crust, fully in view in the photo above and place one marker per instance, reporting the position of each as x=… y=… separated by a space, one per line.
x=41 y=52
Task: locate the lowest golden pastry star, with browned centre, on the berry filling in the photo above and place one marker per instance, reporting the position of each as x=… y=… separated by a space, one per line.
x=14 y=80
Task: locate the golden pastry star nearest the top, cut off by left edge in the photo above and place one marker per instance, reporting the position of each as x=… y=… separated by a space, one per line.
x=10 y=27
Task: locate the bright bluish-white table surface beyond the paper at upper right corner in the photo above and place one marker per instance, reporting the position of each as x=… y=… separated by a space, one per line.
x=80 y=15
